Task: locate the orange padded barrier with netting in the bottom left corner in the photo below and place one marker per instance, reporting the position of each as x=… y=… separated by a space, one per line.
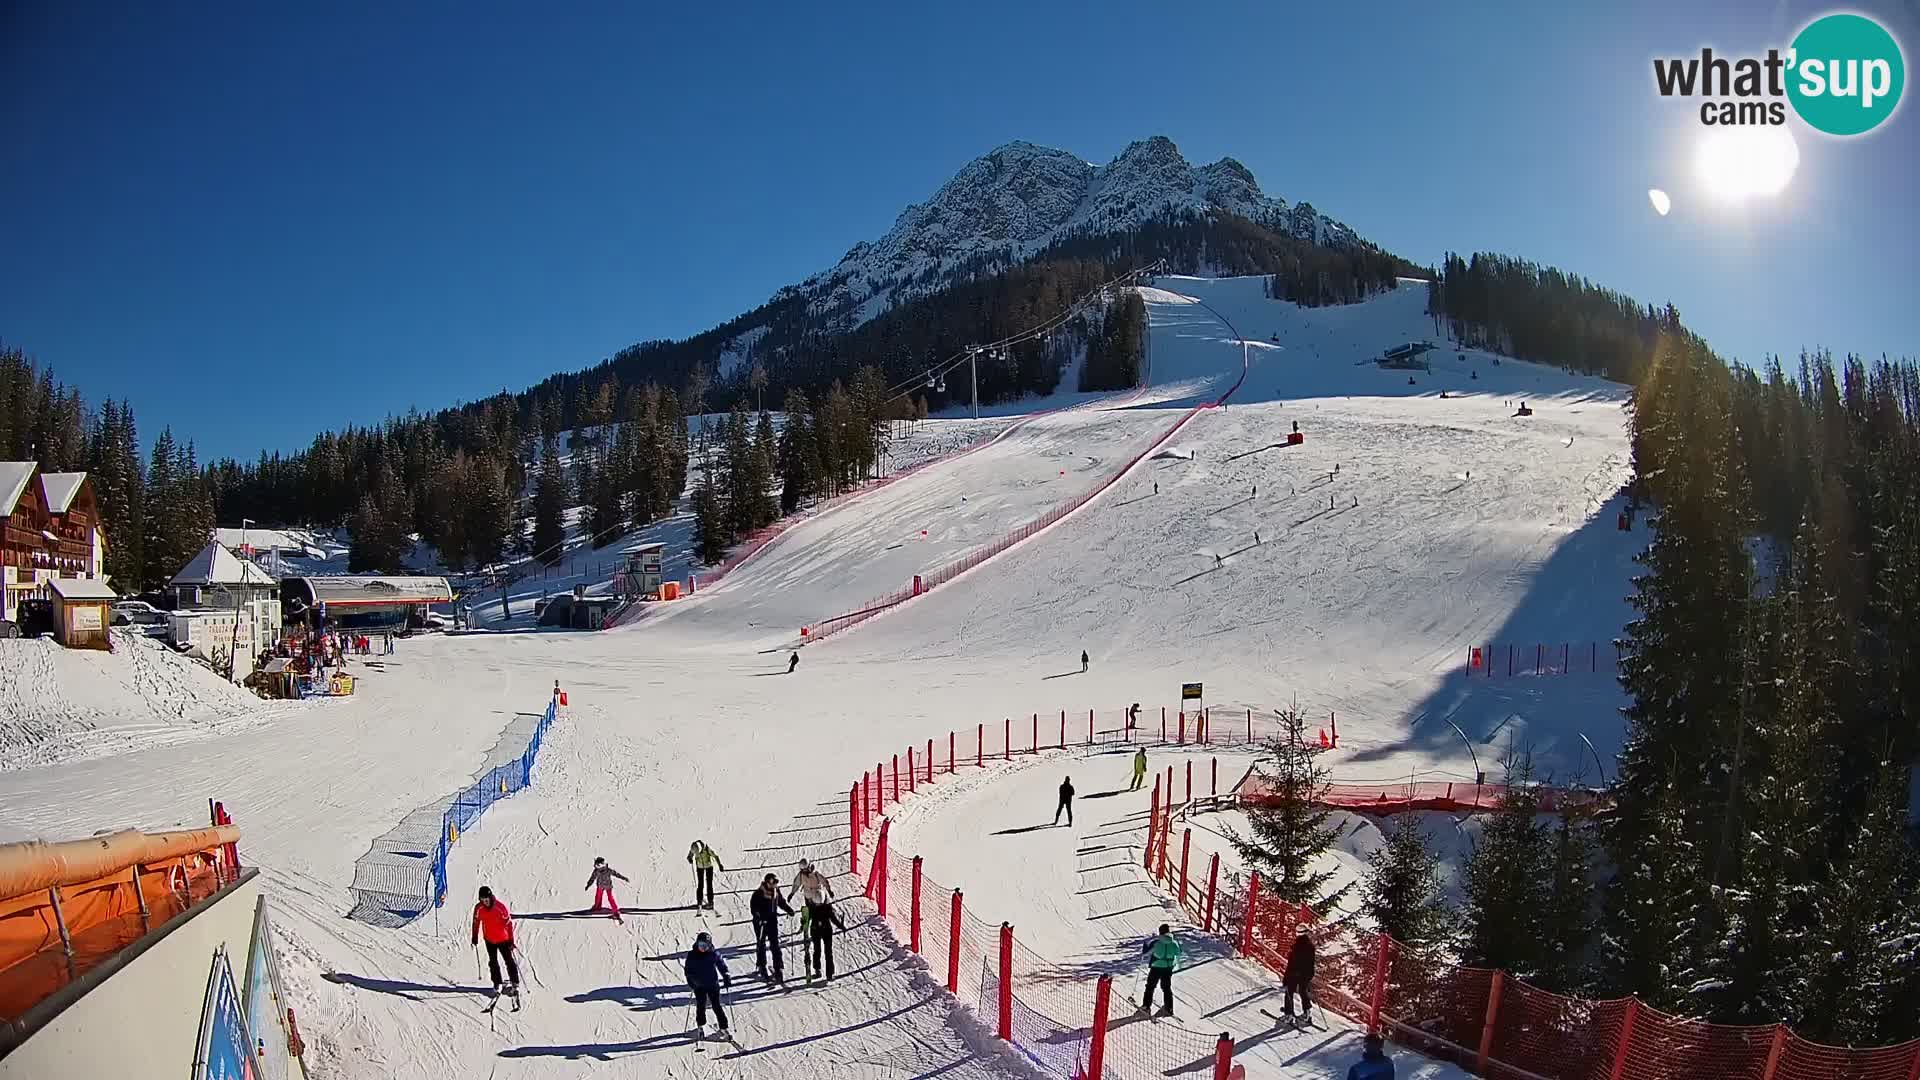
x=101 y=885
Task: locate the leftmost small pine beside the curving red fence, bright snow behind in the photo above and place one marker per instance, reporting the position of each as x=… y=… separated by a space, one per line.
x=1289 y=827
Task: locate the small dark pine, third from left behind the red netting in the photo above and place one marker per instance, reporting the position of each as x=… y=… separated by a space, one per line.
x=1508 y=885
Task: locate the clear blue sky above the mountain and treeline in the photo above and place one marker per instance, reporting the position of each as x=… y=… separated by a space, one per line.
x=256 y=222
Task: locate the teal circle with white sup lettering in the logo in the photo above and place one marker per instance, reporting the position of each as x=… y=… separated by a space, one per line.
x=1848 y=74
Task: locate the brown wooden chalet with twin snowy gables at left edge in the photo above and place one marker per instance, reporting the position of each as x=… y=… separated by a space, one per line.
x=53 y=531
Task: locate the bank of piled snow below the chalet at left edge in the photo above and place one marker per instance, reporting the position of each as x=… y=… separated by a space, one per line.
x=74 y=704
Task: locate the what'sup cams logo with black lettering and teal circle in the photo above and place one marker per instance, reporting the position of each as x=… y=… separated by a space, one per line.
x=1844 y=76
